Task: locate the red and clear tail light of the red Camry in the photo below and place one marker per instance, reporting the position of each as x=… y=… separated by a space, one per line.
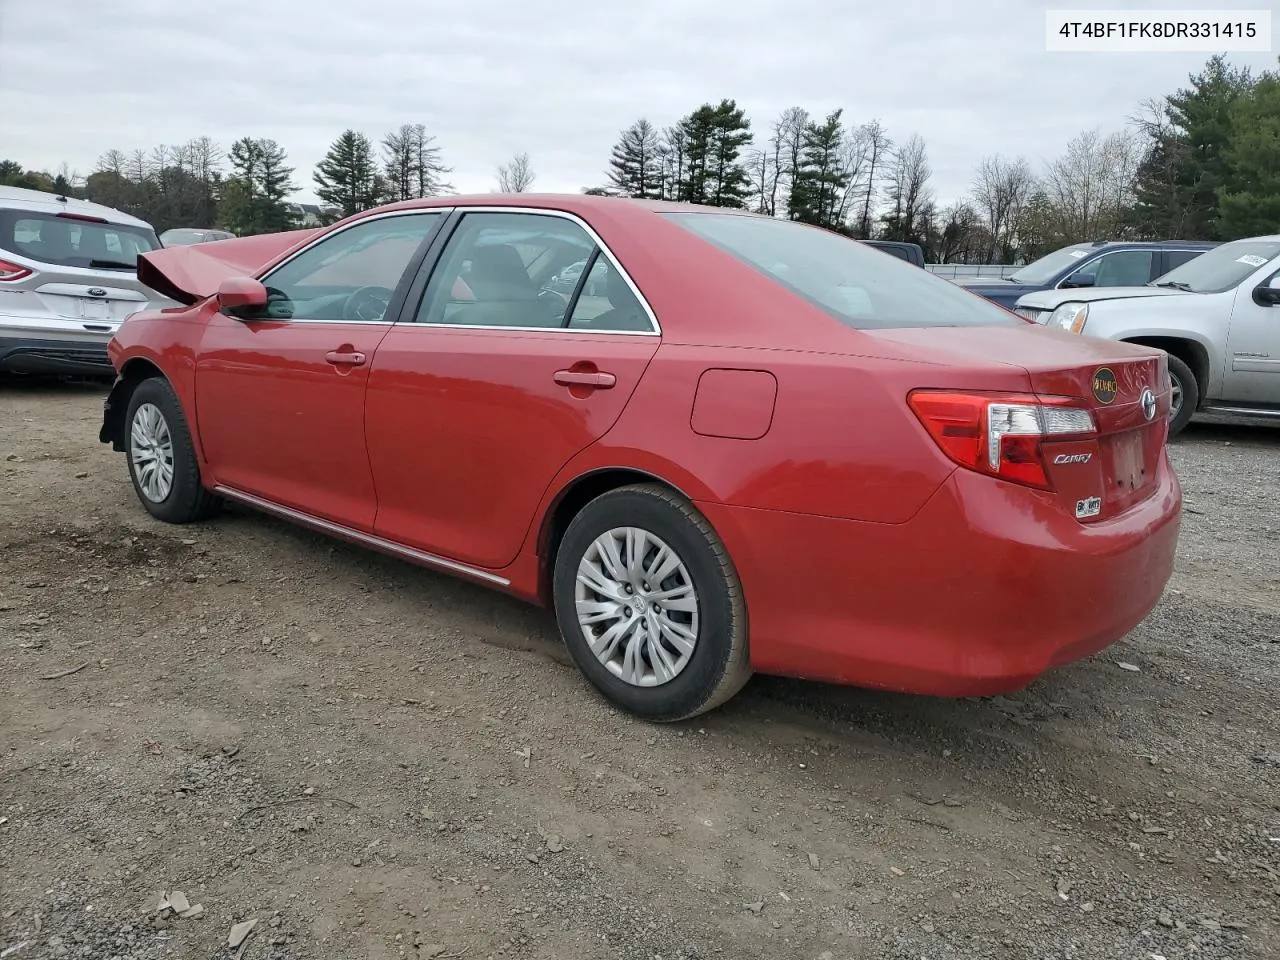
x=1002 y=435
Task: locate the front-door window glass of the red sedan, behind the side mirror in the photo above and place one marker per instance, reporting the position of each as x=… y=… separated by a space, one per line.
x=350 y=276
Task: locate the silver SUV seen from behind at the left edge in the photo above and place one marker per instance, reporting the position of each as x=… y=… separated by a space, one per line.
x=68 y=277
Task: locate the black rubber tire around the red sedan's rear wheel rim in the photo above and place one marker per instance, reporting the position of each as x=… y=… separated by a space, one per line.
x=719 y=666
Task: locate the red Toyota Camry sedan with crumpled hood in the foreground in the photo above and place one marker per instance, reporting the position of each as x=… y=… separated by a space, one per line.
x=712 y=442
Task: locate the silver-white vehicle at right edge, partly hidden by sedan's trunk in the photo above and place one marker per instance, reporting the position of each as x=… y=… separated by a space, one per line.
x=1218 y=317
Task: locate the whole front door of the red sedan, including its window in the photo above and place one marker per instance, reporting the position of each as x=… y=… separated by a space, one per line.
x=281 y=390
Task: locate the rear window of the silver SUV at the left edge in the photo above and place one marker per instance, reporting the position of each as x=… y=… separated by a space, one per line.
x=63 y=241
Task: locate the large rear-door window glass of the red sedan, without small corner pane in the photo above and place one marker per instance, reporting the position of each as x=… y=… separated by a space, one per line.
x=508 y=271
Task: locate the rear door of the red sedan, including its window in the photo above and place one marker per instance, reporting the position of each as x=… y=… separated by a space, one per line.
x=505 y=372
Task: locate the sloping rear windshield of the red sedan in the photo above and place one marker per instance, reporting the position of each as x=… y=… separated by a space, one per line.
x=857 y=285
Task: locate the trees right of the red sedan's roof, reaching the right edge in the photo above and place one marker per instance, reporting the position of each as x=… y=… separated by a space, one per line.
x=1203 y=163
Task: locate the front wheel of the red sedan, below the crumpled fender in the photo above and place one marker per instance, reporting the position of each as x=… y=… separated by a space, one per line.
x=162 y=456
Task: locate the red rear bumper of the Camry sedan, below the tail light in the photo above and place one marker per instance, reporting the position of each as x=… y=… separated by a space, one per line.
x=984 y=591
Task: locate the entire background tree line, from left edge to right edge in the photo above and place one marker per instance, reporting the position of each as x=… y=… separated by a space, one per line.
x=1203 y=163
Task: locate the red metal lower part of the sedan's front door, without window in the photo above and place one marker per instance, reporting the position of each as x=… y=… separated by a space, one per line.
x=280 y=420
